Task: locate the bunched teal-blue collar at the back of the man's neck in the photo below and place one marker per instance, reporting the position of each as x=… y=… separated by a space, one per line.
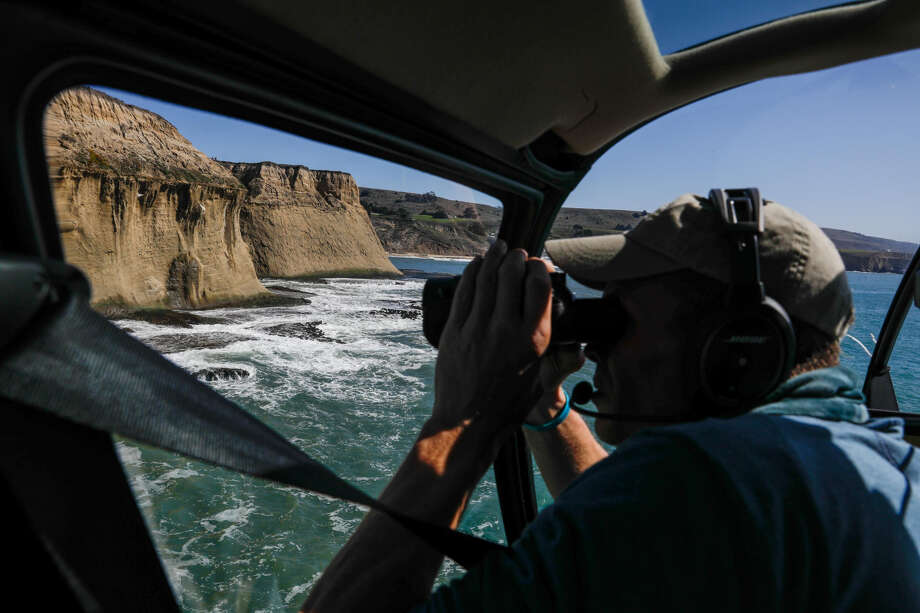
x=827 y=393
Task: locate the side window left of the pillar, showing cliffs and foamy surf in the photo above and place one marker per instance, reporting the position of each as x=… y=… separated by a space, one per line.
x=294 y=292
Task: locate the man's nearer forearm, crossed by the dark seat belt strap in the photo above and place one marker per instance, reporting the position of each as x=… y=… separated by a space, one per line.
x=384 y=567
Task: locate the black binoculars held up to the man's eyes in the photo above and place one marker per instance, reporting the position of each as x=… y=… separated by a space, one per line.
x=584 y=320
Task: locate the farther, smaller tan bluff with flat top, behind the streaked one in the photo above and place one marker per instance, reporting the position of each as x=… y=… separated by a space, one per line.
x=307 y=223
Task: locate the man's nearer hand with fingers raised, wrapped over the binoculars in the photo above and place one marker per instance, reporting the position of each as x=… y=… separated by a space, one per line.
x=498 y=328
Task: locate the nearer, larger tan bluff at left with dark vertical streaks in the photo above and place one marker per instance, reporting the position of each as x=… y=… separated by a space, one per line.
x=149 y=218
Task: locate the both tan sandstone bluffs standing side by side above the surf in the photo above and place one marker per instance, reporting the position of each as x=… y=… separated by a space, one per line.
x=154 y=222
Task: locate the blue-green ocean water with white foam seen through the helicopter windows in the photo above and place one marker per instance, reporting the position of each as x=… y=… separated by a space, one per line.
x=352 y=393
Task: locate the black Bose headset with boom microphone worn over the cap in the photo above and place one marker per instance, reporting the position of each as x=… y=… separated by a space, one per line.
x=748 y=347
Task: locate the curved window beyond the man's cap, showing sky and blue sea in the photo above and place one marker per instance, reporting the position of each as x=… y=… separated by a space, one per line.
x=839 y=146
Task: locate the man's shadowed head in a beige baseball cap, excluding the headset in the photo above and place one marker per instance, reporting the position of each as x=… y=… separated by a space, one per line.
x=671 y=273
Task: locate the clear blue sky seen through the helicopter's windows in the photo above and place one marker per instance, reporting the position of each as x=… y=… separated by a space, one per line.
x=839 y=145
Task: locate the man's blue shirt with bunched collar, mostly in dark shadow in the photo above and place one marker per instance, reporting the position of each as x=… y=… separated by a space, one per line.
x=802 y=505
